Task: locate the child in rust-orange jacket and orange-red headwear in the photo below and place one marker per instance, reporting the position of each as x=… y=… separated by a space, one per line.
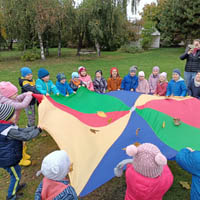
x=114 y=82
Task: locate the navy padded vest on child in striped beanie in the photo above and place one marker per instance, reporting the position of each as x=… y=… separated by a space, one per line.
x=10 y=150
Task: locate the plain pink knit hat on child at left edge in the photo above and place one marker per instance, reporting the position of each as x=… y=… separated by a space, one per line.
x=7 y=89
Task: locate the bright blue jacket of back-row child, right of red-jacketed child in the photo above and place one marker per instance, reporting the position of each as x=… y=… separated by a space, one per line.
x=176 y=88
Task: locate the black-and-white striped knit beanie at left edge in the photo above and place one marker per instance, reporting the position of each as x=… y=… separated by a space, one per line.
x=6 y=112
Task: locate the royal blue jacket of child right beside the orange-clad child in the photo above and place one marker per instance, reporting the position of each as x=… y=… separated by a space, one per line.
x=129 y=82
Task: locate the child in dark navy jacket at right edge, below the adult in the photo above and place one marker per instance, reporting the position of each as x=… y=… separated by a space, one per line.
x=194 y=87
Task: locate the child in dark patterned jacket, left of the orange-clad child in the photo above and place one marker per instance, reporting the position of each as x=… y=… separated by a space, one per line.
x=100 y=84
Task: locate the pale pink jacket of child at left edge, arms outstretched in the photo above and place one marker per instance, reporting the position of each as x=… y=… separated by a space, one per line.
x=21 y=102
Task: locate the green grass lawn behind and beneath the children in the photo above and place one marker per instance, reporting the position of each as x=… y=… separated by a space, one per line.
x=10 y=65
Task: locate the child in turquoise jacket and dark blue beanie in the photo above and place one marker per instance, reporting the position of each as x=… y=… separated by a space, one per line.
x=44 y=85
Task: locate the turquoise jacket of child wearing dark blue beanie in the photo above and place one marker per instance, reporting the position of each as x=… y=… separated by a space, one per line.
x=46 y=87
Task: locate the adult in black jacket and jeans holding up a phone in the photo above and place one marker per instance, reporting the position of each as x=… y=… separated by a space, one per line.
x=192 y=55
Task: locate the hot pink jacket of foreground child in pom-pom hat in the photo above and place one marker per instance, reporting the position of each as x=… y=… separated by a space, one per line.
x=140 y=187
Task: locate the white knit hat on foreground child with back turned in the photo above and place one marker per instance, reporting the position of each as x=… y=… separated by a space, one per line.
x=55 y=166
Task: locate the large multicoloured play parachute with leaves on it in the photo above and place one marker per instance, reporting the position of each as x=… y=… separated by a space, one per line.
x=95 y=128
